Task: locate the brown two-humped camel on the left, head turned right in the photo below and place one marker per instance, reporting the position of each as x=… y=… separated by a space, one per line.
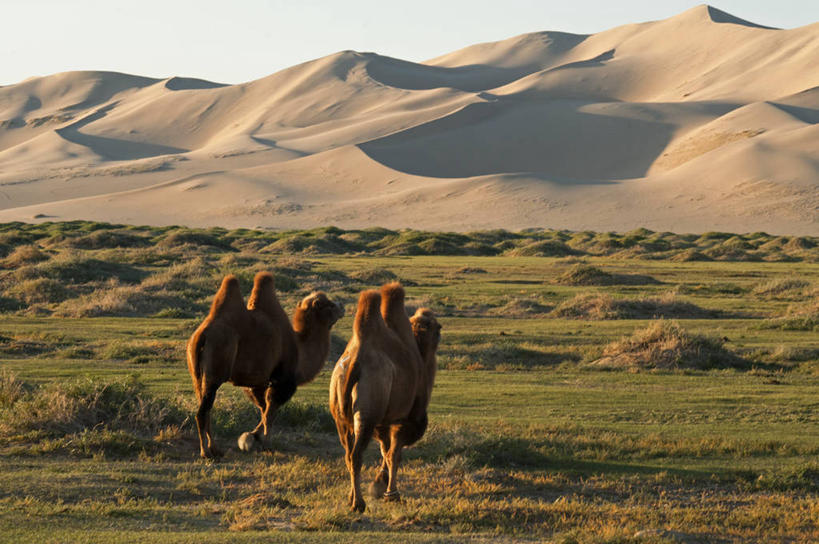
x=256 y=348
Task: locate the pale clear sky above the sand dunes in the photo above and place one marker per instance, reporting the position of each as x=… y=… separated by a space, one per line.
x=233 y=42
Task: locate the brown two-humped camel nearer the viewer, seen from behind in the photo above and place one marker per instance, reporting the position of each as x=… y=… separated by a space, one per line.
x=381 y=386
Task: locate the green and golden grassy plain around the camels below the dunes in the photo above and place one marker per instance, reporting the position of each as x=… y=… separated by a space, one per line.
x=529 y=440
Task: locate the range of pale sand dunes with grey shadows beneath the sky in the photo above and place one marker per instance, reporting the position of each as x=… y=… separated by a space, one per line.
x=699 y=122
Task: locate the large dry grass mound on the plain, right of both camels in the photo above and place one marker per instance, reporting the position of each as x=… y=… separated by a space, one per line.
x=666 y=345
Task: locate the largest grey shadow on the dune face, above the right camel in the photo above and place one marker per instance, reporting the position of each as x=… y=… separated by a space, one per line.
x=554 y=138
